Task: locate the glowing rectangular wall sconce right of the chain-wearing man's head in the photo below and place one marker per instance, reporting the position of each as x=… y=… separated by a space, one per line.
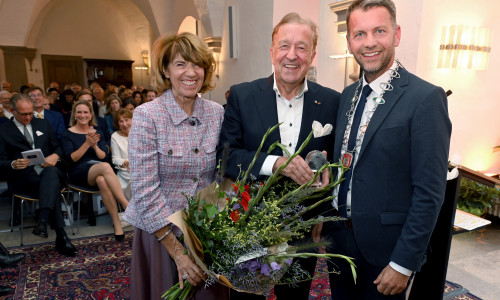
x=464 y=47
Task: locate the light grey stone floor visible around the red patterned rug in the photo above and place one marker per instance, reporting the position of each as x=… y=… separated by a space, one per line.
x=474 y=259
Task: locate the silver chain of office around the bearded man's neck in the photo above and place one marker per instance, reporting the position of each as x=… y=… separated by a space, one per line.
x=348 y=156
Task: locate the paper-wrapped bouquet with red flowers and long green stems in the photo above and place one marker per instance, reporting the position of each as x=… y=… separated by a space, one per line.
x=239 y=233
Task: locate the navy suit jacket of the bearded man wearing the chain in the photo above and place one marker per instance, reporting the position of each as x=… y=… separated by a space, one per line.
x=399 y=180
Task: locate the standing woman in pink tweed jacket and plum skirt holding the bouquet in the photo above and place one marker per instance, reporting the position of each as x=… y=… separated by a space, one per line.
x=172 y=151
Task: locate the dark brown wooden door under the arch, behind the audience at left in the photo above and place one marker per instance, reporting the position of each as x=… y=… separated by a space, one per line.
x=62 y=69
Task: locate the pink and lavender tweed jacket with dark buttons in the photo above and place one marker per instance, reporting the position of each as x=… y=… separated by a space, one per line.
x=170 y=153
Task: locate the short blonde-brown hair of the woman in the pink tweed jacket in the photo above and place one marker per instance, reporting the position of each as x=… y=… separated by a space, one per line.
x=191 y=48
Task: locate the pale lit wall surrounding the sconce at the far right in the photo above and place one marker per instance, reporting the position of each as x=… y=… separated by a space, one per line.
x=474 y=105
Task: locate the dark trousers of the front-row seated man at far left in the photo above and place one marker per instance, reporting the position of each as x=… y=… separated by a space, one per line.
x=46 y=187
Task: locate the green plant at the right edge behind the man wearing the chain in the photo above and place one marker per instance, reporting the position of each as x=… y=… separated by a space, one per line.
x=476 y=198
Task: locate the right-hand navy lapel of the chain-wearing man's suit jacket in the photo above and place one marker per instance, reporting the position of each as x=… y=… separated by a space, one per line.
x=390 y=97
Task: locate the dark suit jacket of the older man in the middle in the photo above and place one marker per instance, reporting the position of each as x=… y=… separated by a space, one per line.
x=251 y=110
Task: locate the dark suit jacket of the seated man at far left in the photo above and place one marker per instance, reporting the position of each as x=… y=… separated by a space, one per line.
x=13 y=142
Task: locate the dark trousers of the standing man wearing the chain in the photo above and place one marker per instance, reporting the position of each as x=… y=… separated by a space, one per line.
x=342 y=284
